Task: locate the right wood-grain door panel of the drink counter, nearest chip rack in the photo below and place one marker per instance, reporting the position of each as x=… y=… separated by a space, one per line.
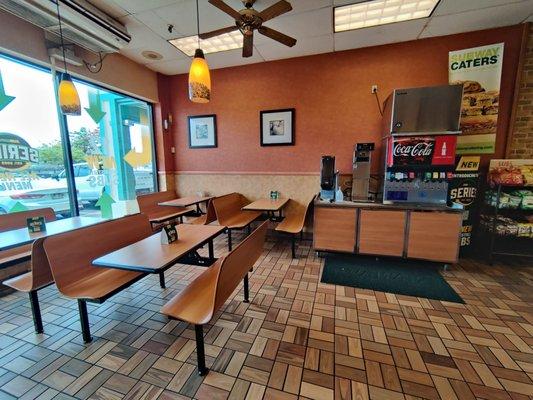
x=434 y=236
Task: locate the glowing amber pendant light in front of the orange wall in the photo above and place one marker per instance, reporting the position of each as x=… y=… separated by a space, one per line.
x=199 y=78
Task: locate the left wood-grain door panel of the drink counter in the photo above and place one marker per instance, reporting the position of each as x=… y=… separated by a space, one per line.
x=334 y=229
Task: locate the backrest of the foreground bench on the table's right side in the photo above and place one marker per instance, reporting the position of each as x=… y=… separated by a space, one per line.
x=238 y=263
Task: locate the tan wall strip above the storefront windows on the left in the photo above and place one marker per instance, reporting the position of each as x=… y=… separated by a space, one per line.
x=20 y=38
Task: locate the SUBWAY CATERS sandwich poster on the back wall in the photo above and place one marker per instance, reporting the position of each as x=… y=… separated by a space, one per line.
x=479 y=70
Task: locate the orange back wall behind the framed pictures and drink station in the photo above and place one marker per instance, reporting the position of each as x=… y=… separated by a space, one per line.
x=331 y=95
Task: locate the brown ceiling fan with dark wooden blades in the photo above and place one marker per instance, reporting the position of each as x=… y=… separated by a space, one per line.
x=248 y=19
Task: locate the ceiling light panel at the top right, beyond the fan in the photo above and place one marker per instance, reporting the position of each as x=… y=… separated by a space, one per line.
x=380 y=12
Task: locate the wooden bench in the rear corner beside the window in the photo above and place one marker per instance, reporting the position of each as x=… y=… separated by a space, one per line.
x=149 y=205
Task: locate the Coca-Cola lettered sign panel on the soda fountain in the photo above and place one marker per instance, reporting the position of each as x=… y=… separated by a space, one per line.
x=412 y=150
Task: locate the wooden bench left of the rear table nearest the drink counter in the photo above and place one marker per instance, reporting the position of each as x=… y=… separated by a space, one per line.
x=228 y=210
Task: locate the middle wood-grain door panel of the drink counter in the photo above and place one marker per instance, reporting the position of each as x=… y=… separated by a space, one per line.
x=382 y=232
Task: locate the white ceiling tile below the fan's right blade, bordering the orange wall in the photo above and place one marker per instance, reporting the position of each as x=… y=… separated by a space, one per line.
x=305 y=46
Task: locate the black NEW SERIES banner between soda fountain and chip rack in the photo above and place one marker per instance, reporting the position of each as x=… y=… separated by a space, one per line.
x=463 y=191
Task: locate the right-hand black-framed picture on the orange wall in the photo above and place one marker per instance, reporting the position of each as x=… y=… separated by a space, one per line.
x=277 y=127
